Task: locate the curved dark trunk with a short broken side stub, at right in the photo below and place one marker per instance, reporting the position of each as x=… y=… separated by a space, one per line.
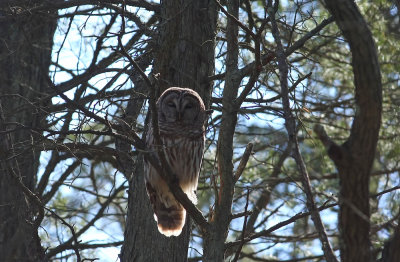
x=354 y=158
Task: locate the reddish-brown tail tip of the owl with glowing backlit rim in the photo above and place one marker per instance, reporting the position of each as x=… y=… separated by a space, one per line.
x=170 y=221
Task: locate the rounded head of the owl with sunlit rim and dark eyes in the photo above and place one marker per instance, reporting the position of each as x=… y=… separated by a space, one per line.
x=181 y=107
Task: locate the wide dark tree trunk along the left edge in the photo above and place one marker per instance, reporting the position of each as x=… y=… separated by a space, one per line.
x=25 y=55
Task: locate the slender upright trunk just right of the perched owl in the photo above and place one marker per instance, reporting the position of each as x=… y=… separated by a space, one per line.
x=214 y=242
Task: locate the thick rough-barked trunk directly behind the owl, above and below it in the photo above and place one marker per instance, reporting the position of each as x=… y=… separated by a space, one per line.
x=185 y=58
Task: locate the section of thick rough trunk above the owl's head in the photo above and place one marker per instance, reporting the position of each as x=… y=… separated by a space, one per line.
x=185 y=56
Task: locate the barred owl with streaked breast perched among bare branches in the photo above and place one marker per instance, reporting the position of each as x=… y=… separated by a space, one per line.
x=181 y=118
